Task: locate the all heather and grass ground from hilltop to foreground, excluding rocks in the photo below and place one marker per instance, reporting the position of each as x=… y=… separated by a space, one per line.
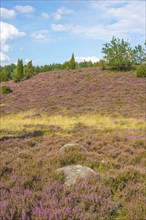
x=103 y=111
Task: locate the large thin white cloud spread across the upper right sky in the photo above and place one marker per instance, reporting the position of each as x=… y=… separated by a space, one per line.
x=123 y=20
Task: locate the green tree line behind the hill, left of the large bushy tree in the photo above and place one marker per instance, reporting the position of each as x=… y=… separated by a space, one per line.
x=21 y=72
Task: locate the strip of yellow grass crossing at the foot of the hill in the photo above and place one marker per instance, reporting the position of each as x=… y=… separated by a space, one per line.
x=26 y=121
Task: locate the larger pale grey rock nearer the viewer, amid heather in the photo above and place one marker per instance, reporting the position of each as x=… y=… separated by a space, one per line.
x=75 y=172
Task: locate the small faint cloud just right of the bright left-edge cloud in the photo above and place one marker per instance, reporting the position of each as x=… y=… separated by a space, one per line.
x=41 y=35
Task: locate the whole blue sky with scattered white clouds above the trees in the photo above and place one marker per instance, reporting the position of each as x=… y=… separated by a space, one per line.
x=50 y=31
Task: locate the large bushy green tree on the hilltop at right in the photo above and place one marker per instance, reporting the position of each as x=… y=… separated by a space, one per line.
x=118 y=54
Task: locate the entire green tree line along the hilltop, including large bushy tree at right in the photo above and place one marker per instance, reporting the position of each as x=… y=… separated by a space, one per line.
x=118 y=55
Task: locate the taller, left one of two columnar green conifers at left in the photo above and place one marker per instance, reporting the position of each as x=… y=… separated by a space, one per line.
x=18 y=73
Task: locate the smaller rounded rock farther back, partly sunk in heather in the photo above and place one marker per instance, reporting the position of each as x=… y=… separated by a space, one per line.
x=72 y=148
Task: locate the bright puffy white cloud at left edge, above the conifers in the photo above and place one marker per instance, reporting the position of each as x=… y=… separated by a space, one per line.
x=8 y=32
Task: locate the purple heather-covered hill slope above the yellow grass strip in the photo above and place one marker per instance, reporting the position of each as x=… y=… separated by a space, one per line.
x=78 y=91
